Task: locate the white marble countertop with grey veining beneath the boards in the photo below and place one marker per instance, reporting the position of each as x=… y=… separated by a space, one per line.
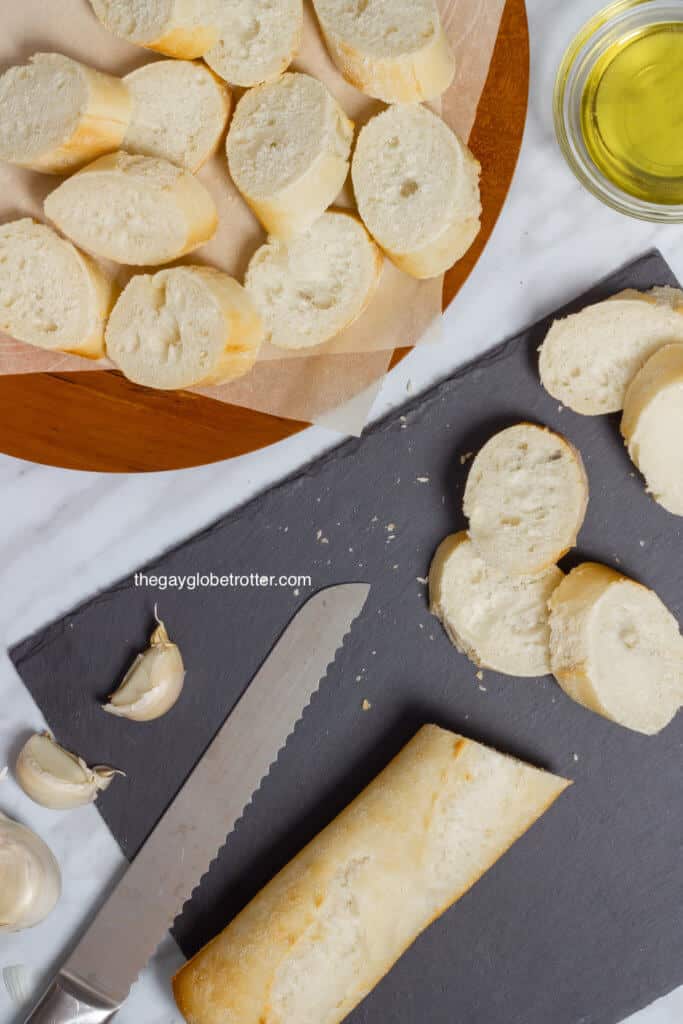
x=67 y=535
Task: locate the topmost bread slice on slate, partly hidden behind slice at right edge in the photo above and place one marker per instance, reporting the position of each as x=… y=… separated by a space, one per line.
x=589 y=360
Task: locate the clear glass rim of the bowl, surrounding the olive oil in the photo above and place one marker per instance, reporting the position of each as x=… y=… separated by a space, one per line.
x=609 y=27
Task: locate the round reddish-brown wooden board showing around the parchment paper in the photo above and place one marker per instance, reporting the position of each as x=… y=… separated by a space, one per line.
x=102 y=422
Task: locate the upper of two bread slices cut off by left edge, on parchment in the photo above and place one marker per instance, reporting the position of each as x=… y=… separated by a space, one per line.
x=57 y=115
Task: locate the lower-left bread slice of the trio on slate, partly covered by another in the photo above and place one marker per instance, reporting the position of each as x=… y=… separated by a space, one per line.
x=500 y=622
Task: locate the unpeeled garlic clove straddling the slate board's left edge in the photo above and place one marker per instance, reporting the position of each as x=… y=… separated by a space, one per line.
x=57 y=779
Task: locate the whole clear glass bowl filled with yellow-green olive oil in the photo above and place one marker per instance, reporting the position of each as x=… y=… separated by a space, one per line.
x=619 y=108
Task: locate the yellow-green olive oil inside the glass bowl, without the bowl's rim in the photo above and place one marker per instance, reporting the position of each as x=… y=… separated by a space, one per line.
x=632 y=114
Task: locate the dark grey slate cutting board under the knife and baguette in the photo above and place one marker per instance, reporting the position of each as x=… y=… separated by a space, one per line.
x=582 y=922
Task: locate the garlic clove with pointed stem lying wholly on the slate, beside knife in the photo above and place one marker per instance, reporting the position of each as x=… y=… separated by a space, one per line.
x=154 y=682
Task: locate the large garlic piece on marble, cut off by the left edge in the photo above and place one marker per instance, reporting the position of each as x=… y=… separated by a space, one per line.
x=30 y=878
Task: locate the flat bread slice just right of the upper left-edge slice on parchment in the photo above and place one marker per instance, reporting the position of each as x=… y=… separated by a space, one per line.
x=180 y=113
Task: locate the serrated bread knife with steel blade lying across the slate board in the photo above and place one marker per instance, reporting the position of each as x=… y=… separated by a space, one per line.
x=97 y=978
